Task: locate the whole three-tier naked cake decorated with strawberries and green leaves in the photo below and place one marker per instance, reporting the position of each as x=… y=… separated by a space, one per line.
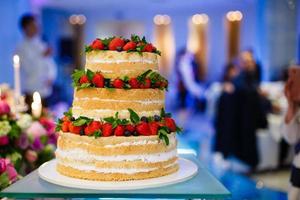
x=117 y=129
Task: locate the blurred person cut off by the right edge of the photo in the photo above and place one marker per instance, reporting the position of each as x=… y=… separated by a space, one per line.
x=291 y=130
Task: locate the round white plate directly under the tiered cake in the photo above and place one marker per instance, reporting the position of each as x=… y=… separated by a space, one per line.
x=187 y=169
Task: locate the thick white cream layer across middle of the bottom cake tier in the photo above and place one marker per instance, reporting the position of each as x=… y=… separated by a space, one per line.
x=83 y=155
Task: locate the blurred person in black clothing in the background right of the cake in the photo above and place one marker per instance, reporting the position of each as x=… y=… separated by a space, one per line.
x=240 y=114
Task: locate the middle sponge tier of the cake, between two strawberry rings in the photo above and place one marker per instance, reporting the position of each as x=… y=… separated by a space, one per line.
x=98 y=103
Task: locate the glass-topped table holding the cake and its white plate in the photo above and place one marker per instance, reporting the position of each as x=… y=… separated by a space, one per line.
x=203 y=185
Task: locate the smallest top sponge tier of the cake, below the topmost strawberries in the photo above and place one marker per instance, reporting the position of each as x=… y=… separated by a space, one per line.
x=113 y=64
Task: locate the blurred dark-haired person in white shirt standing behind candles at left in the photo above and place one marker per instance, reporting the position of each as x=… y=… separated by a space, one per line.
x=38 y=70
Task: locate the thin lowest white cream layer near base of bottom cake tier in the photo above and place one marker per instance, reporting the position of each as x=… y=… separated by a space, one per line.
x=113 y=170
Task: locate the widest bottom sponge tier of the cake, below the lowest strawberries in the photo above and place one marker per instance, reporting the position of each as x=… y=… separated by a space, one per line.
x=115 y=158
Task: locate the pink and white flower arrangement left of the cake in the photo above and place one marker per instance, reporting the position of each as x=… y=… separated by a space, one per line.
x=25 y=143
